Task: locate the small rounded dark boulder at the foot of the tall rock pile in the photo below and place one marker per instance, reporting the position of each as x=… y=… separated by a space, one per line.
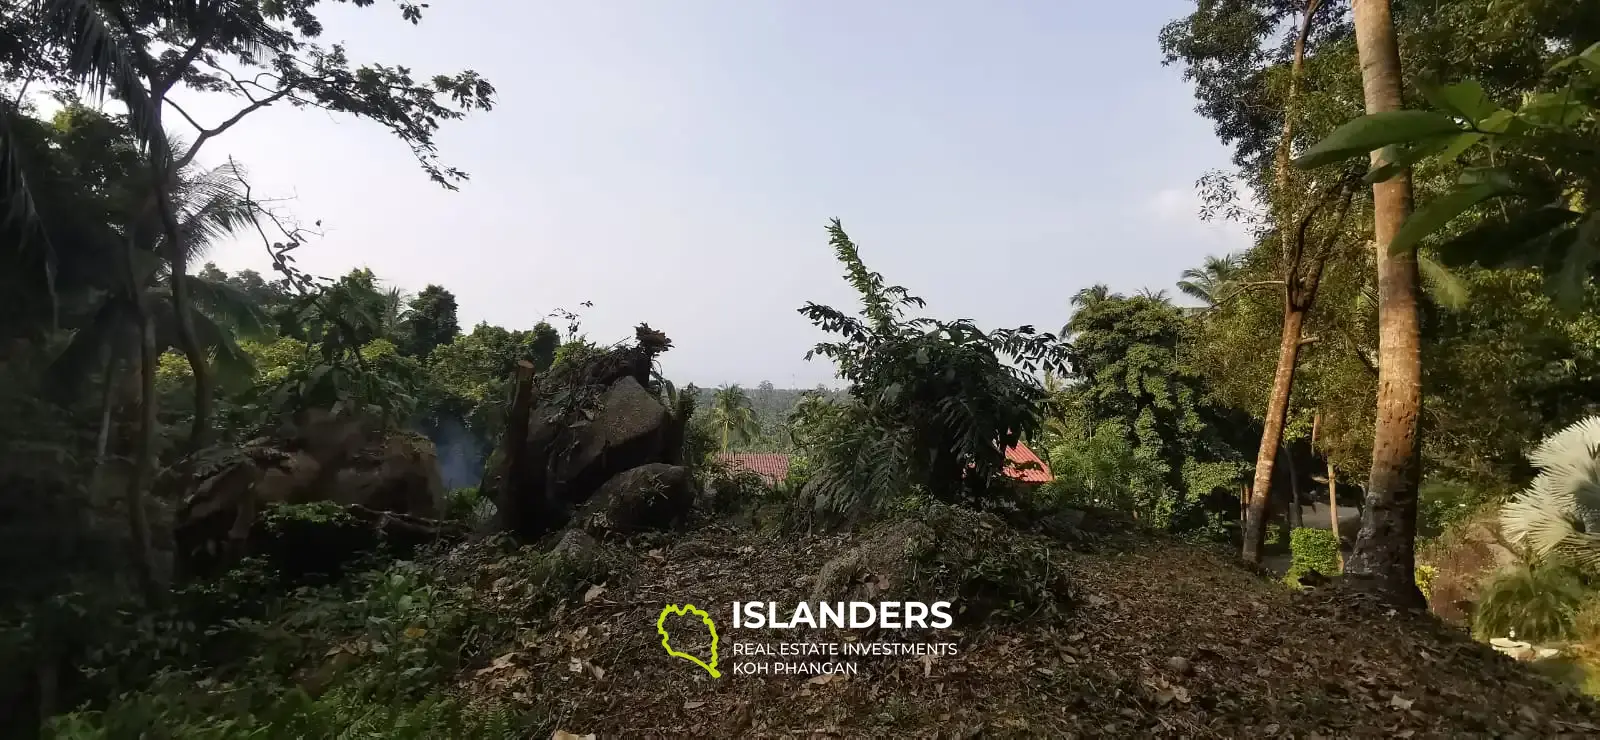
x=649 y=497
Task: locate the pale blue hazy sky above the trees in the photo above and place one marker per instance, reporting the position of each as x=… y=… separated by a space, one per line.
x=678 y=164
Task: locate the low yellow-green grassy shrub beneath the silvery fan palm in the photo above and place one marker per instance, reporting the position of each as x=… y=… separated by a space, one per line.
x=1534 y=605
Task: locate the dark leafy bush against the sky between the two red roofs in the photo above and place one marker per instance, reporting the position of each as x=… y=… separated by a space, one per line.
x=932 y=403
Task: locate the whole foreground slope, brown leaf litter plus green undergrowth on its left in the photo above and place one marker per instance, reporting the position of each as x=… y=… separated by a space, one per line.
x=1121 y=635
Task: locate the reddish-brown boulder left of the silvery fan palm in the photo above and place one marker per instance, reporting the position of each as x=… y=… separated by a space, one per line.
x=1463 y=560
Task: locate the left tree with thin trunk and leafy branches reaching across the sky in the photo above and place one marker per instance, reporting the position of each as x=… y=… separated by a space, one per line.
x=265 y=54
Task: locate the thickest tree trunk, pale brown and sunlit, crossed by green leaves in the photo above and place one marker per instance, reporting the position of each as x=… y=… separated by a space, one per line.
x=1383 y=558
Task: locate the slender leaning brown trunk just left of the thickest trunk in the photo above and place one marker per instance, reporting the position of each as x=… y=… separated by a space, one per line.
x=1294 y=310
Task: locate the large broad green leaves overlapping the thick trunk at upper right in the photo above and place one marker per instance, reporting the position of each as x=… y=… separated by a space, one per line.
x=1529 y=174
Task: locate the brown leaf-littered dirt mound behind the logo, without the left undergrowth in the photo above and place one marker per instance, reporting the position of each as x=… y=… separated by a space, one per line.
x=1162 y=640
